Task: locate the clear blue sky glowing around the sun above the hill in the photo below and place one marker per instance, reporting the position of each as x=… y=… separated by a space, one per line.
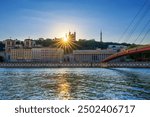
x=53 y=18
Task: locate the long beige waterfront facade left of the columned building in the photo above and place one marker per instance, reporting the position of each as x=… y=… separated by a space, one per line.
x=36 y=55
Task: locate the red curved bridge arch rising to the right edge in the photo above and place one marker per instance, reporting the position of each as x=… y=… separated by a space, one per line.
x=128 y=52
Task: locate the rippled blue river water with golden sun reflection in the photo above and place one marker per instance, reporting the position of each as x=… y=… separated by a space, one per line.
x=74 y=83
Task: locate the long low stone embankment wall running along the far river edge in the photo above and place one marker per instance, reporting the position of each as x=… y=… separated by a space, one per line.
x=77 y=65
